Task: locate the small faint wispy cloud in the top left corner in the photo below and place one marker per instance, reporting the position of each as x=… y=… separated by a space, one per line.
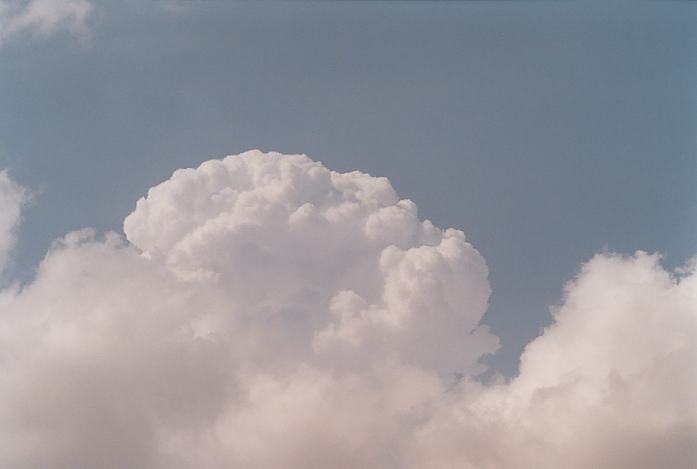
x=43 y=18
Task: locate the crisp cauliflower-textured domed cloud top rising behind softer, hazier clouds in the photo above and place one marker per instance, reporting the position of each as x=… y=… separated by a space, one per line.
x=289 y=240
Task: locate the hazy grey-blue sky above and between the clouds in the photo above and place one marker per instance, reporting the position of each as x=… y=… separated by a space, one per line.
x=546 y=131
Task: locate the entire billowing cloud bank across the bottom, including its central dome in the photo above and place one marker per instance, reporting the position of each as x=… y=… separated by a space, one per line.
x=265 y=312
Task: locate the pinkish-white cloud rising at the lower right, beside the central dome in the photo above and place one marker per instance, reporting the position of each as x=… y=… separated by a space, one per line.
x=611 y=384
